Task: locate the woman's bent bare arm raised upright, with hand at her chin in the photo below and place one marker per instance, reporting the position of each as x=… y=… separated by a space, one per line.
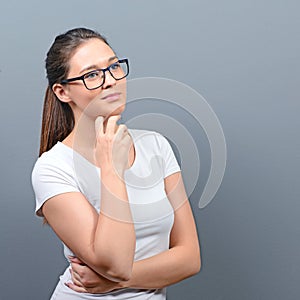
x=105 y=241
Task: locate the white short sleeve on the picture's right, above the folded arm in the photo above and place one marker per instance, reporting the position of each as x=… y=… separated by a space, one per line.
x=170 y=163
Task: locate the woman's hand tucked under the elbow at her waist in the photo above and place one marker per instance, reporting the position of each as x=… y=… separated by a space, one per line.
x=85 y=280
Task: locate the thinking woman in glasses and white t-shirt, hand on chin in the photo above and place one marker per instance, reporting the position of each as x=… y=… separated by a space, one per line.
x=114 y=196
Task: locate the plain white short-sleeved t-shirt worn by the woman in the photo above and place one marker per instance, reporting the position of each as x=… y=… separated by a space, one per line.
x=62 y=170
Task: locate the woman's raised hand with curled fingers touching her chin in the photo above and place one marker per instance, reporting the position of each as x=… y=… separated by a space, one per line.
x=112 y=145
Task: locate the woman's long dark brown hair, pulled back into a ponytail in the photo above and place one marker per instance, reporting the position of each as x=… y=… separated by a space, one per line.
x=58 y=119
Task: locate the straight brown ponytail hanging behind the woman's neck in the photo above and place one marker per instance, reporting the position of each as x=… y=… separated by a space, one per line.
x=57 y=121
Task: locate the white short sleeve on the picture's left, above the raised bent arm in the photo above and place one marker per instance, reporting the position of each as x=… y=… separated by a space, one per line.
x=50 y=179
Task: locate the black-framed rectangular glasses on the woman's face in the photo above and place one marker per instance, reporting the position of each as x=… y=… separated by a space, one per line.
x=96 y=78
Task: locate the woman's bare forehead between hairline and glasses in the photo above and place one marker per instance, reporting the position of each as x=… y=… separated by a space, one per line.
x=91 y=52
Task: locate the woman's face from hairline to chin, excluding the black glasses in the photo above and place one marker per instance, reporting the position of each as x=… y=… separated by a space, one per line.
x=107 y=100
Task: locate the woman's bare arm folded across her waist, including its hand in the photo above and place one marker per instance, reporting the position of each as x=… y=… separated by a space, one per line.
x=181 y=261
